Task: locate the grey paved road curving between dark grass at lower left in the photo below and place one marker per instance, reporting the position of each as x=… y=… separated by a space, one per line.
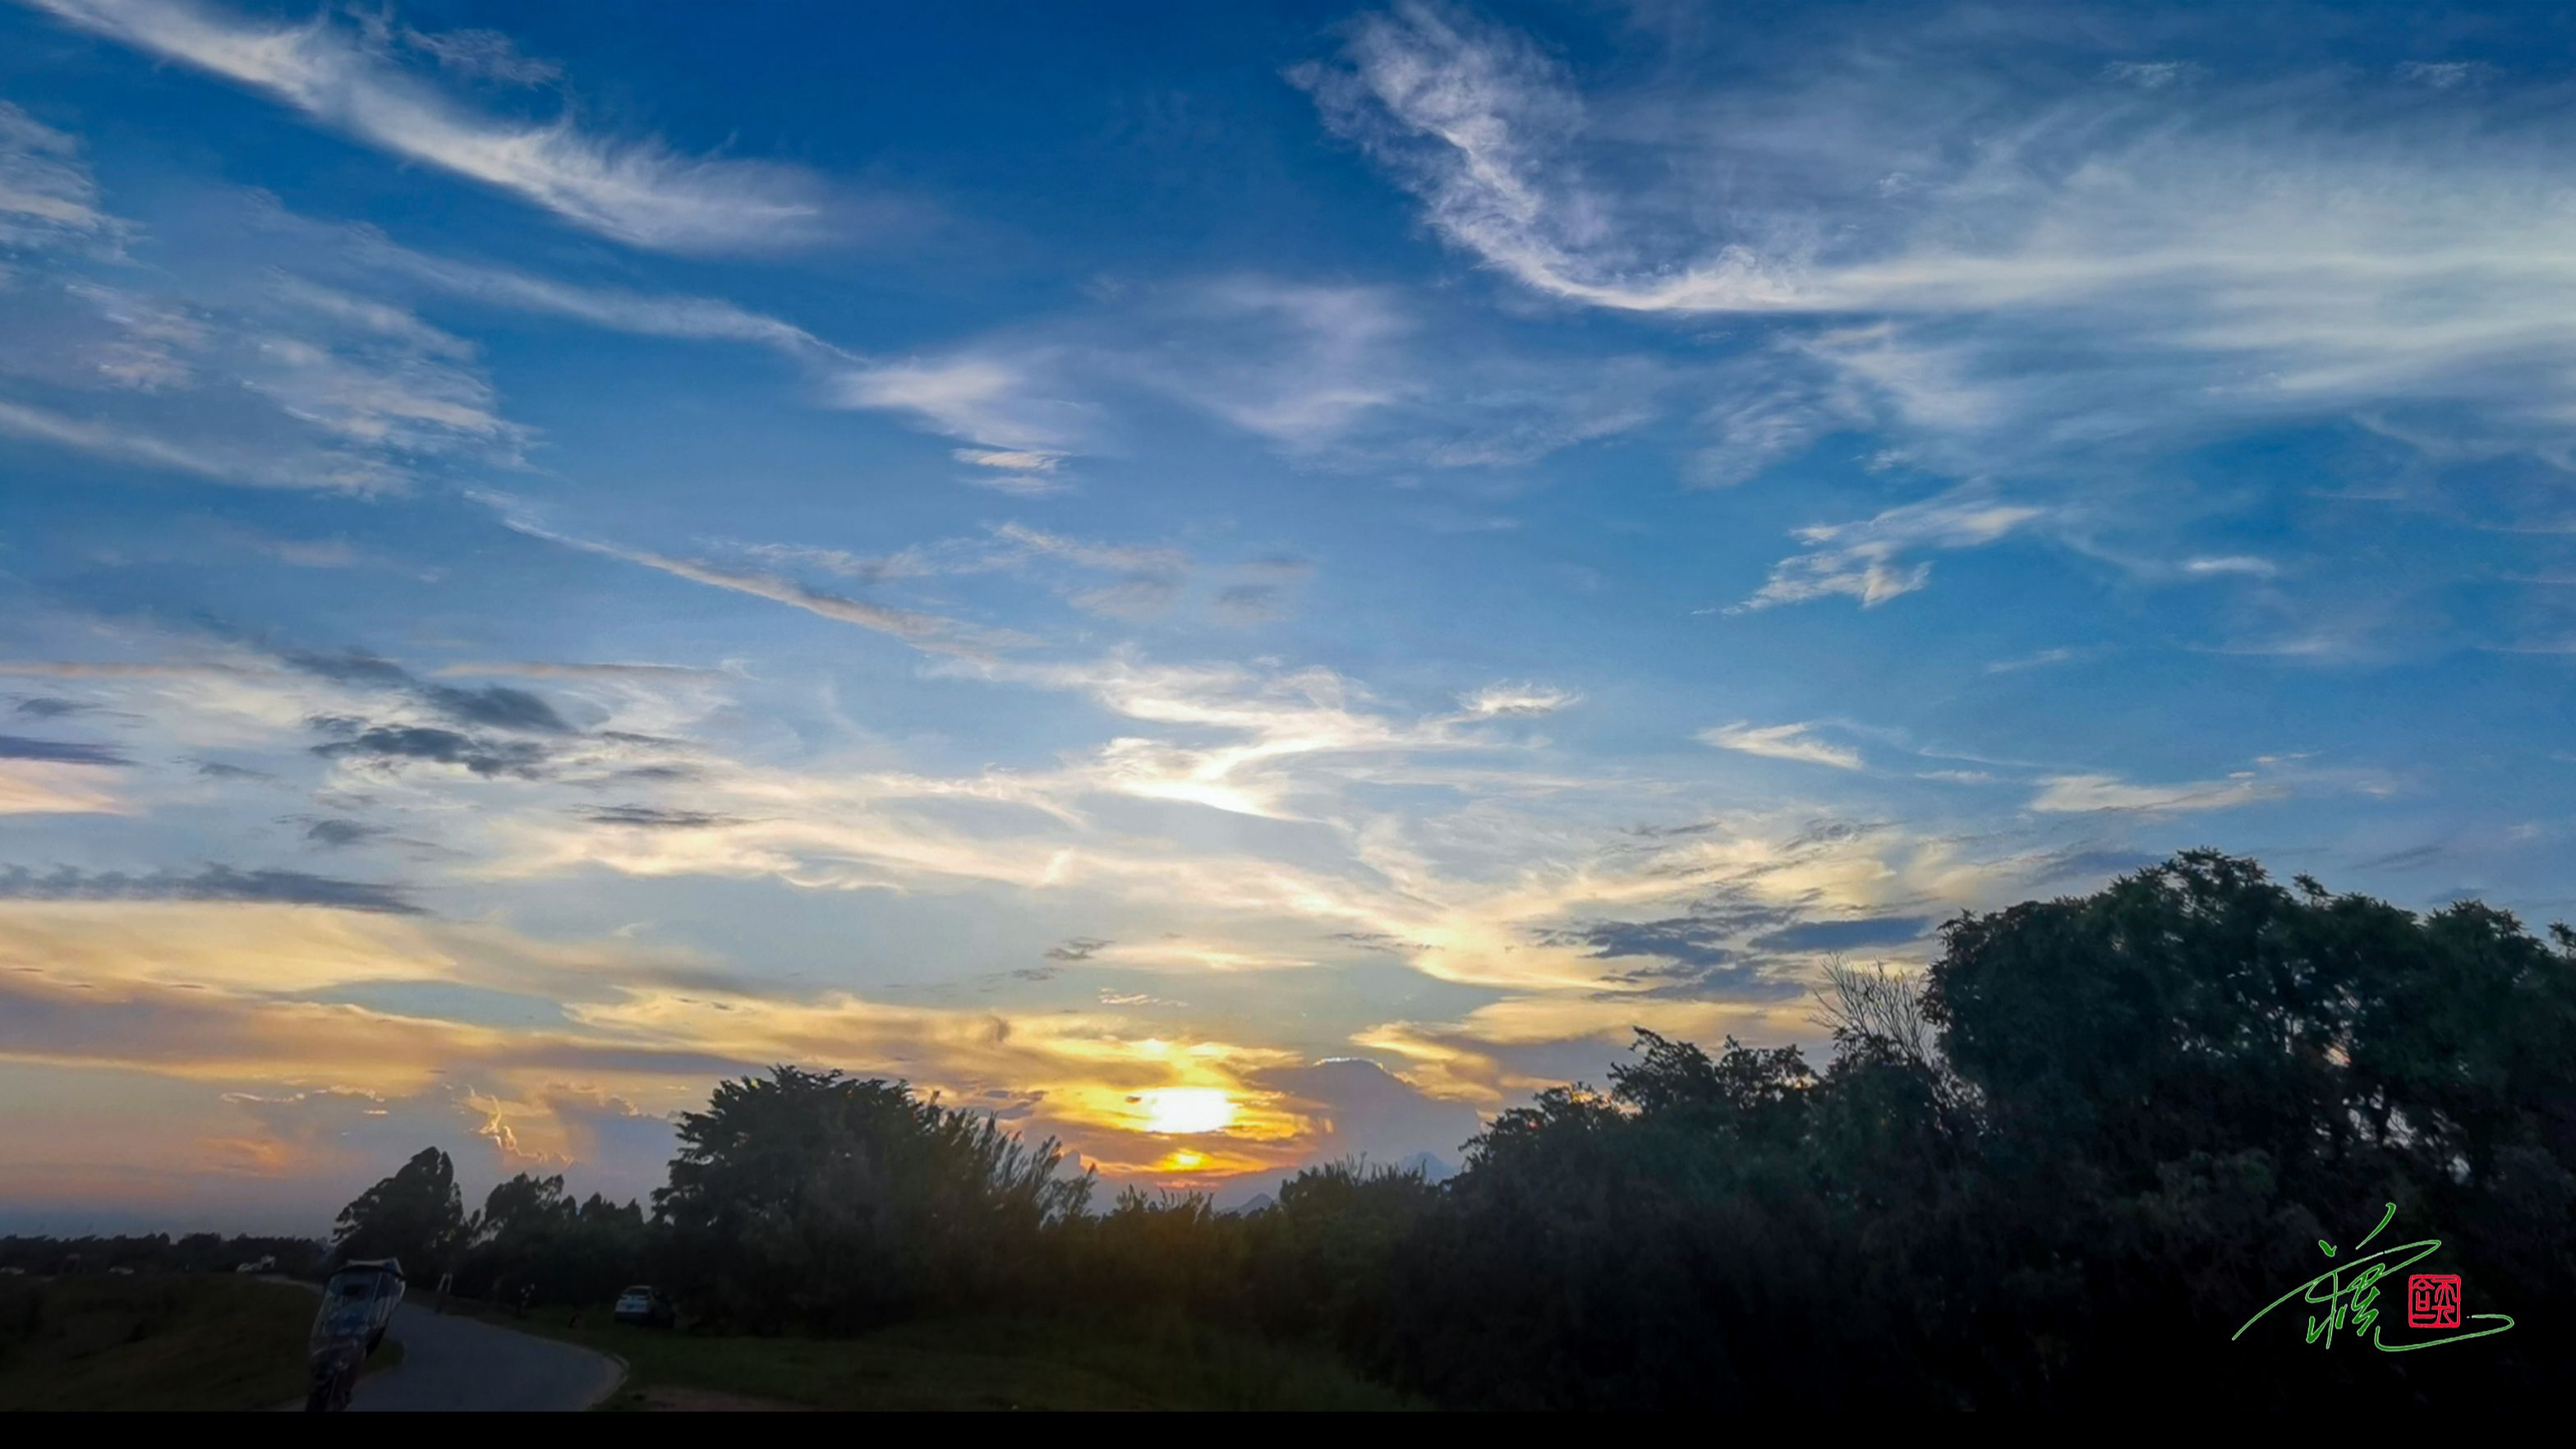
x=468 y=1365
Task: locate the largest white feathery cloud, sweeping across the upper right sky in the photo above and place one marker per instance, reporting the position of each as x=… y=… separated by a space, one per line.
x=2029 y=267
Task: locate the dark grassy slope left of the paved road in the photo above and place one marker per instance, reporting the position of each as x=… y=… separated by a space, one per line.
x=174 y=1342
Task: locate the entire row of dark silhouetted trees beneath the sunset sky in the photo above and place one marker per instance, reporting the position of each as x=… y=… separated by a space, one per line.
x=2057 y=1169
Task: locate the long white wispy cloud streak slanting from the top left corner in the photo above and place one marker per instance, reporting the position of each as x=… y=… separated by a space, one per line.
x=627 y=190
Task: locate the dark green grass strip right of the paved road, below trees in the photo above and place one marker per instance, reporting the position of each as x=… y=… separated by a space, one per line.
x=975 y=1363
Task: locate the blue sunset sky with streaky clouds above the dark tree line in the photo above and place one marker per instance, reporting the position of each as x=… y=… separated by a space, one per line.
x=1227 y=584
